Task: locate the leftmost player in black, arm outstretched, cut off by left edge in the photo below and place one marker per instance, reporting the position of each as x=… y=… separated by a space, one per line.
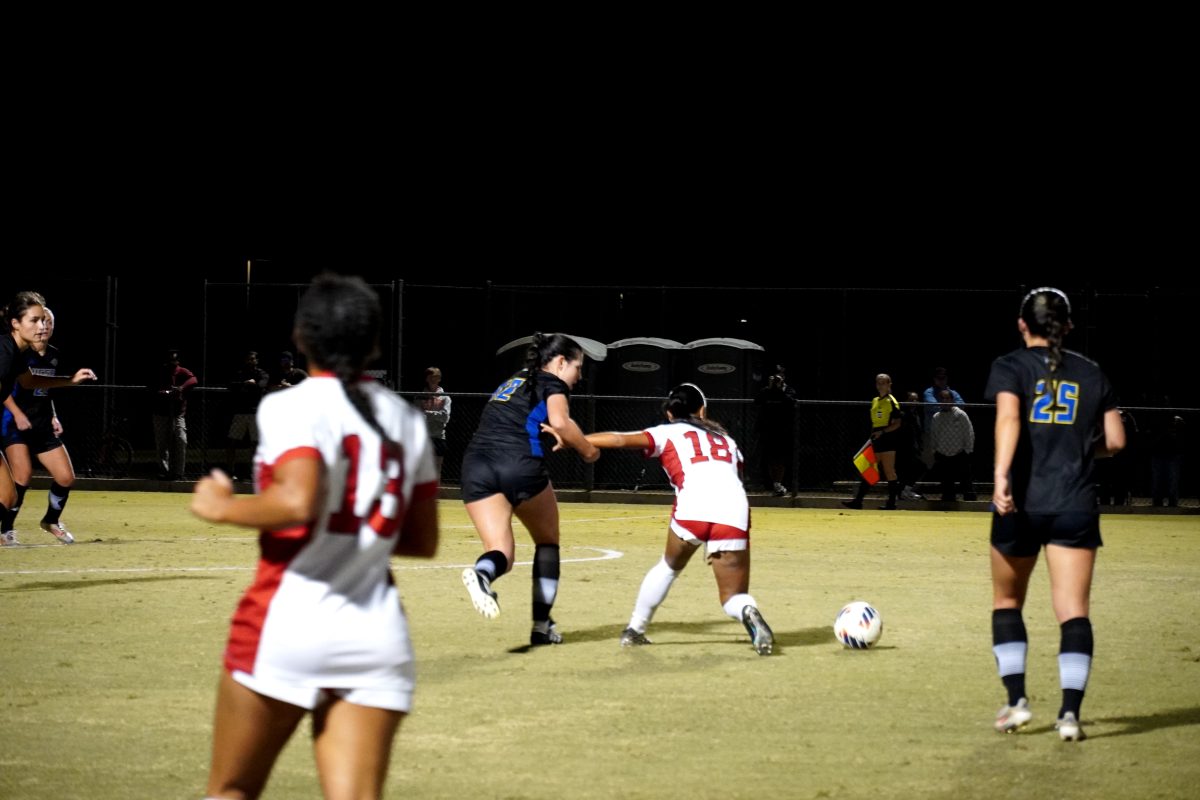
x=26 y=324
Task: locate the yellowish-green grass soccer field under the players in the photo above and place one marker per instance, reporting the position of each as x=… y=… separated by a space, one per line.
x=112 y=649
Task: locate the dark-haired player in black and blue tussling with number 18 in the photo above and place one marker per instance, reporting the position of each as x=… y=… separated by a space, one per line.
x=505 y=474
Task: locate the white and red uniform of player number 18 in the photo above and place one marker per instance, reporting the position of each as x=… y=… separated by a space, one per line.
x=705 y=470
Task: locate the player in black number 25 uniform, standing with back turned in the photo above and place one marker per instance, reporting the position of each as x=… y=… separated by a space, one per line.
x=1055 y=413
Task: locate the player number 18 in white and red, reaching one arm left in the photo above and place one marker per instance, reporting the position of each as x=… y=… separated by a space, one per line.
x=705 y=467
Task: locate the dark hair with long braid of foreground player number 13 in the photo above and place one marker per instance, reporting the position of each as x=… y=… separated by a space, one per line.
x=338 y=322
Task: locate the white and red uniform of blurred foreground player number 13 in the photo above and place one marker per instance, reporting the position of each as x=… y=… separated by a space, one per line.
x=323 y=612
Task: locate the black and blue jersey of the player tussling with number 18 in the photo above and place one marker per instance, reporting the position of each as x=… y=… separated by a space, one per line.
x=514 y=414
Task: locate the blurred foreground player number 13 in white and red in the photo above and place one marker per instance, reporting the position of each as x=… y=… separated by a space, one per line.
x=346 y=479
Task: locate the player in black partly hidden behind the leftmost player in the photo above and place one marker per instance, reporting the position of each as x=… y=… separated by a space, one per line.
x=31 y=426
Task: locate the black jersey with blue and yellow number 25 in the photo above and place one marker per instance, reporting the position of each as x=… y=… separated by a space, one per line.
x=1063 y=420
